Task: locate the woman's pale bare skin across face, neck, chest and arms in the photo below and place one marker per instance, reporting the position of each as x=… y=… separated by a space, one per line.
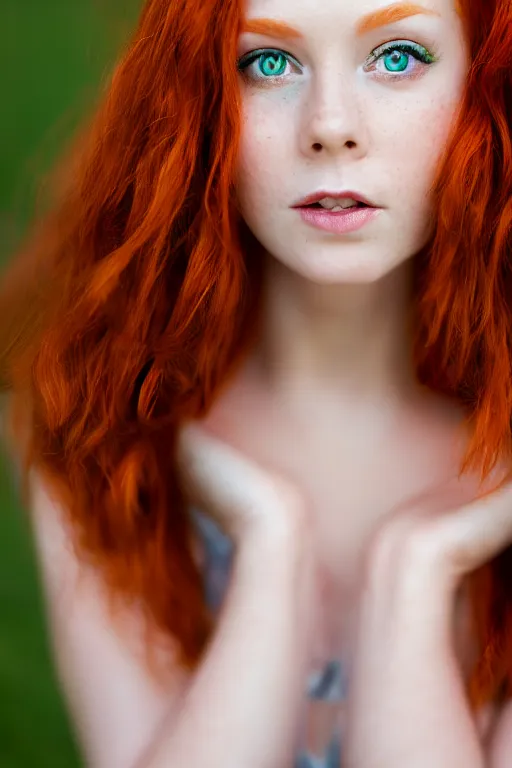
x=323 y=458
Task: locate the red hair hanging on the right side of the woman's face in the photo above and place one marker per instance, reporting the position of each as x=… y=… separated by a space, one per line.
x=464 y=302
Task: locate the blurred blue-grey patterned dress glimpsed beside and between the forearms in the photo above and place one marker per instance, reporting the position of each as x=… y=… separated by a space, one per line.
x=325 y=690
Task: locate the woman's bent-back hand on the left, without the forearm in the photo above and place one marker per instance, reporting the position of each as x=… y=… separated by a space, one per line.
x=239 y=494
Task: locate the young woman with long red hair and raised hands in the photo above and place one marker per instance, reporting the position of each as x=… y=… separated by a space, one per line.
x=259 y=362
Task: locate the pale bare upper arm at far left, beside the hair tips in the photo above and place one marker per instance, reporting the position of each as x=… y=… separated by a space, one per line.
x=115 y=702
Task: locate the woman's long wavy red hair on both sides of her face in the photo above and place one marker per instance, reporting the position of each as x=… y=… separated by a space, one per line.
x=135 y=296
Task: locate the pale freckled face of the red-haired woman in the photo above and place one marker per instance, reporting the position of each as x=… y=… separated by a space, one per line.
x=358 y=96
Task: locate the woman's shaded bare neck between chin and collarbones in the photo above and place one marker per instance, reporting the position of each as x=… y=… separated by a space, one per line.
x=352 y=338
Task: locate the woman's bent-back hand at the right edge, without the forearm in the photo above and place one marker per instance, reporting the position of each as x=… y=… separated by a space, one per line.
x=451 y=531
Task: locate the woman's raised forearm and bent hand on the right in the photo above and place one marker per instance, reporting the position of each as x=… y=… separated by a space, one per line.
x=407 y=703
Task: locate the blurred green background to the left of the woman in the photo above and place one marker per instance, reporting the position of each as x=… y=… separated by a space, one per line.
x=55 y=57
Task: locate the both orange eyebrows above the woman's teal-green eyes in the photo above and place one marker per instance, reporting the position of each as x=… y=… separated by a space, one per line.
x=381 y=18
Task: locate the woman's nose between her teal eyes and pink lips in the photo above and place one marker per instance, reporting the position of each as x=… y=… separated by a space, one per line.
x=333 y=119
